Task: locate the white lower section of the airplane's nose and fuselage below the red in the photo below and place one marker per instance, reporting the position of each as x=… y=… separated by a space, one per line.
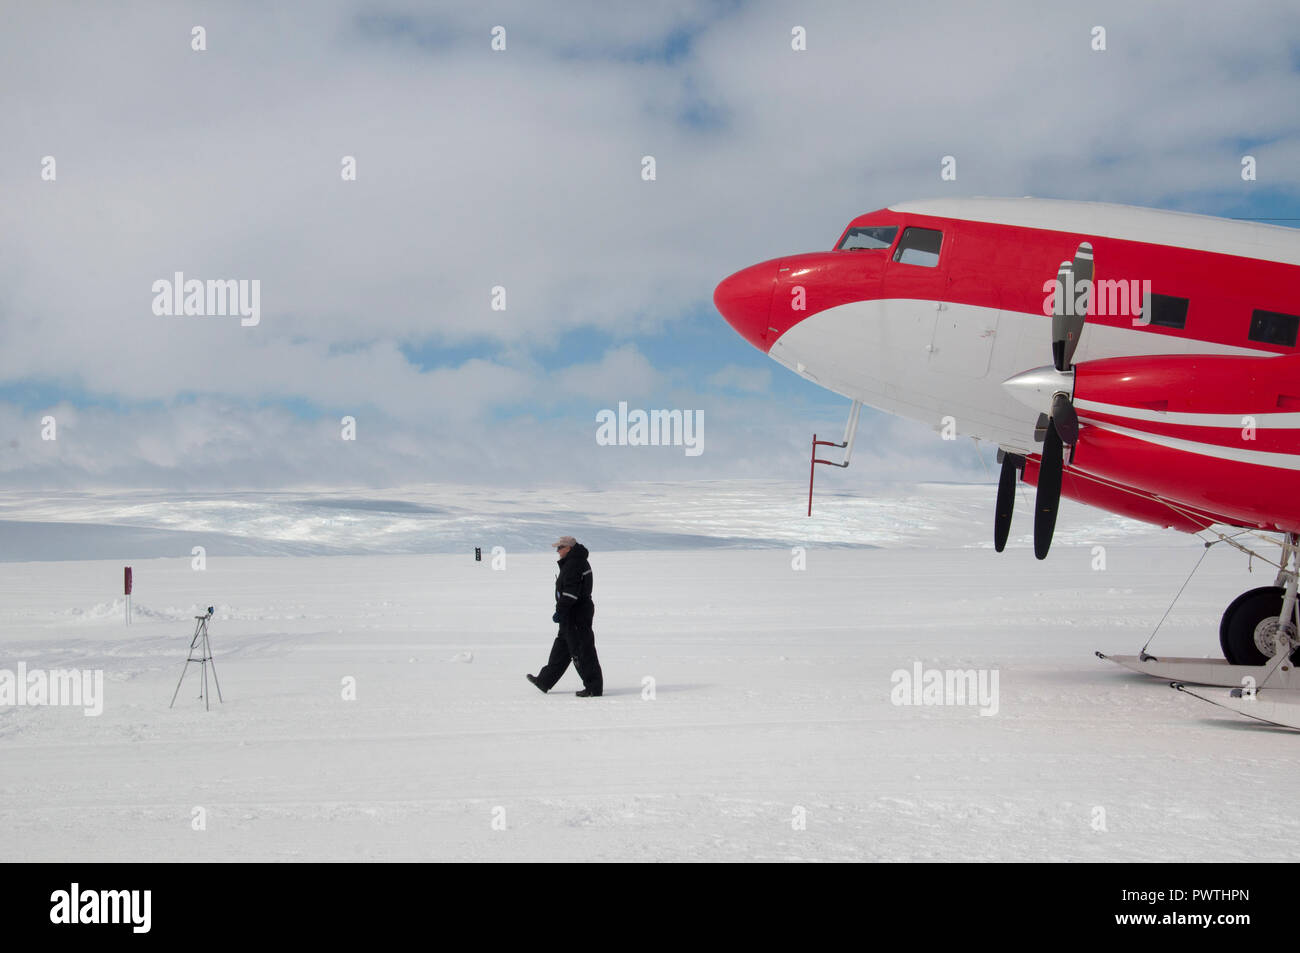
x=913 y=359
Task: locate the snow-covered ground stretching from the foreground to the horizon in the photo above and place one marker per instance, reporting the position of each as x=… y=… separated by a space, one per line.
x=772 y=685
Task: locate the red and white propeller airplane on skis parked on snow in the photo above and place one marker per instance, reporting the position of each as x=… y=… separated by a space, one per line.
x=1139 y=361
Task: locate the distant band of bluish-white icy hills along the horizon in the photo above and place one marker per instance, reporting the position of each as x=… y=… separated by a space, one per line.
x=457 y=518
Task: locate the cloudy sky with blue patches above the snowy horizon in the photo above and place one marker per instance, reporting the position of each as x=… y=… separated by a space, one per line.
x=522 y=168
